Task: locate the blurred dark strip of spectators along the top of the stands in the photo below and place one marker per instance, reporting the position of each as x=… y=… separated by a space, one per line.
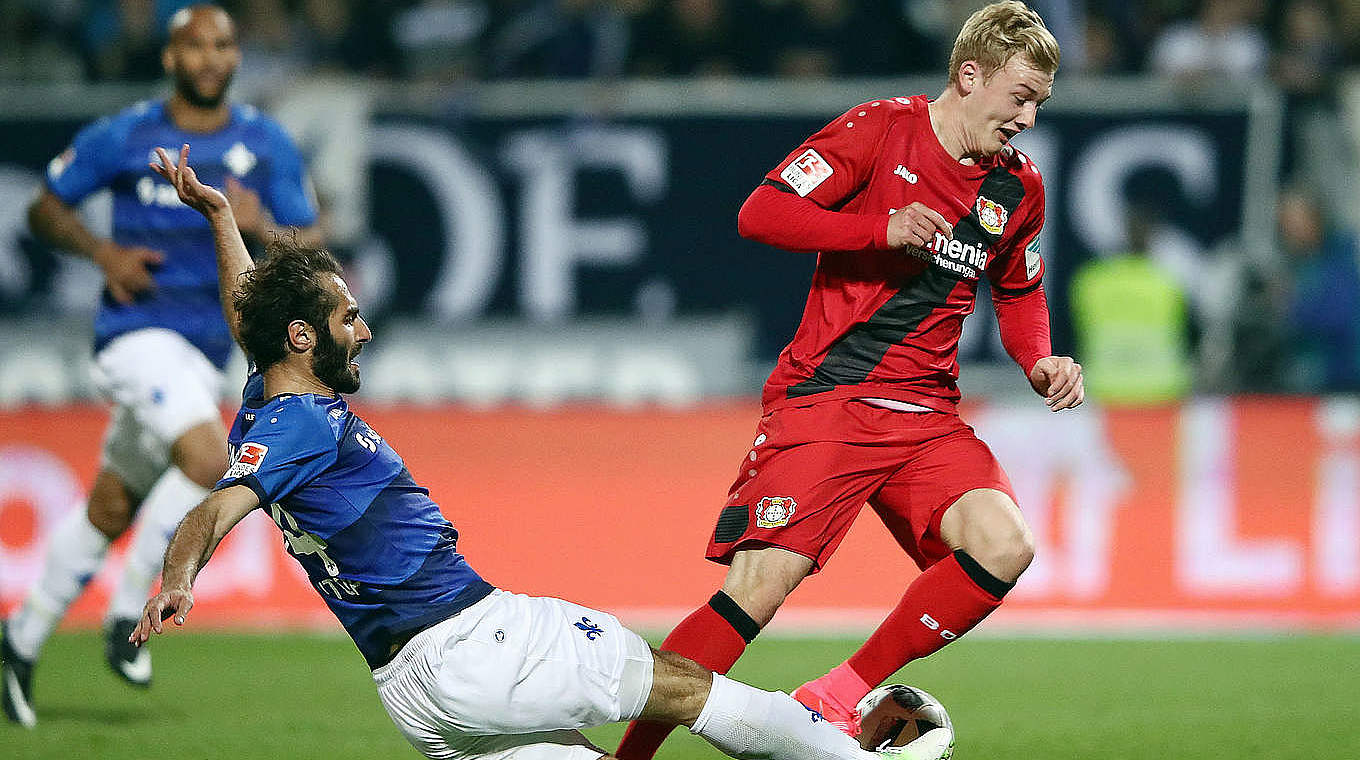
x=119 y=40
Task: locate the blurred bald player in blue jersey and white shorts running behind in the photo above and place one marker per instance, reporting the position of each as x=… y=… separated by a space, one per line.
x=160 y=338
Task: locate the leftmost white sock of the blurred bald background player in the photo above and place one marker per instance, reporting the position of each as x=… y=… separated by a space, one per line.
x=75 y=551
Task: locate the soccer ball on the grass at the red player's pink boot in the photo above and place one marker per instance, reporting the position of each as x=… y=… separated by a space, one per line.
x=905 y=721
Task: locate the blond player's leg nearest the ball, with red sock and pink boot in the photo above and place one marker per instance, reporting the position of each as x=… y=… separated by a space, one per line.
x=951 y=509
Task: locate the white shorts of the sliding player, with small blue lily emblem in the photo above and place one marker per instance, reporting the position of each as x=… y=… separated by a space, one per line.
x=513 y=678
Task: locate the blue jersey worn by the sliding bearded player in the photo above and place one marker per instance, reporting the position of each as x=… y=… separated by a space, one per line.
x=373 y=543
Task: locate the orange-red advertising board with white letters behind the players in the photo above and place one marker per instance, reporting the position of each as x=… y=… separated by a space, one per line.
x=1217 y=513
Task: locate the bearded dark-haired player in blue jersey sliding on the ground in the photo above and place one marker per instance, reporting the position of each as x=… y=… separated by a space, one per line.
x=464 y=670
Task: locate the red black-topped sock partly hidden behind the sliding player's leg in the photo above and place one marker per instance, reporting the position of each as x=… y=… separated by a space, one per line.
x=715 y=637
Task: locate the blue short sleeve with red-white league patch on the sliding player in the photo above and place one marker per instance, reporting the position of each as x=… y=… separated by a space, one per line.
x=286 y=449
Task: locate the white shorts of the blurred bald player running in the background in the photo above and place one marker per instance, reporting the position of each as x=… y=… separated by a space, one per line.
x=161 y=387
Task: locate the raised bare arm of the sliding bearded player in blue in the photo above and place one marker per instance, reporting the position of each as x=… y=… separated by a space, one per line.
x=233 y=256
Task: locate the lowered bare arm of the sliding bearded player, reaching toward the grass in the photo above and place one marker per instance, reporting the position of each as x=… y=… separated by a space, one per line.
x=194 y=543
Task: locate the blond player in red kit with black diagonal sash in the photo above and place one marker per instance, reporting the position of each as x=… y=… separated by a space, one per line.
x=909 y=205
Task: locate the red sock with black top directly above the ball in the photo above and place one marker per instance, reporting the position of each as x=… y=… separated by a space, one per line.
x=943 y=604
